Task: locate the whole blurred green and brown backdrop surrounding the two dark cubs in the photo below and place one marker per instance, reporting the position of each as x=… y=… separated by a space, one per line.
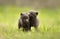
x=49 y=19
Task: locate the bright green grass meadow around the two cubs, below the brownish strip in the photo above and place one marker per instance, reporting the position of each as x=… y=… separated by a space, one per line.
x=49 y=27
